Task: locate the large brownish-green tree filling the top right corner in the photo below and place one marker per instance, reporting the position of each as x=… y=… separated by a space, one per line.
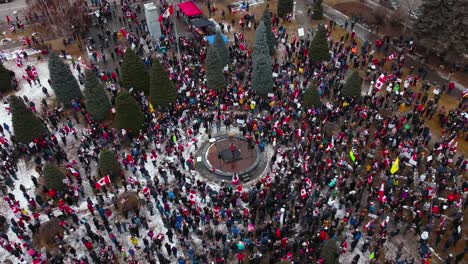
x=442 y=26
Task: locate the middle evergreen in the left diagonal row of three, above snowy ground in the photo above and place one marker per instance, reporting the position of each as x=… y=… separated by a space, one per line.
x=97 y=102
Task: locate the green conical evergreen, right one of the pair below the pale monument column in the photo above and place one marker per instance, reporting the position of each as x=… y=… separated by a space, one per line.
x=162 y=90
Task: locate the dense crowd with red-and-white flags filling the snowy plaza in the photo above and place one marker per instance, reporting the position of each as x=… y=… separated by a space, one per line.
x=358 y=172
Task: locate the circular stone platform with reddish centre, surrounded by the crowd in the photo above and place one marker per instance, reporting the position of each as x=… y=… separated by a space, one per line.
x=227 y=155
